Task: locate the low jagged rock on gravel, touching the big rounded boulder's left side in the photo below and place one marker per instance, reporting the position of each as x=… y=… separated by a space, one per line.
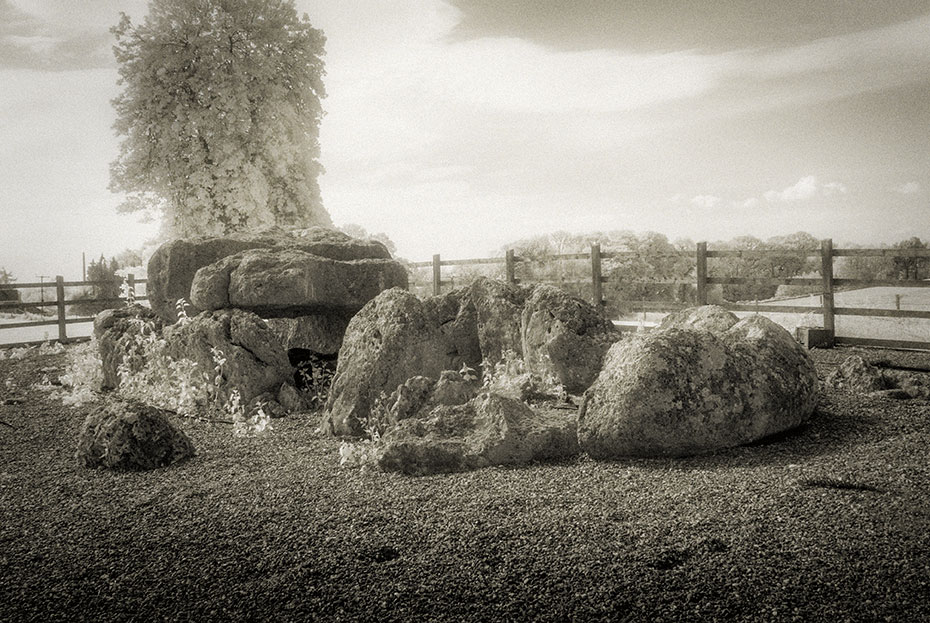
x=488 y=430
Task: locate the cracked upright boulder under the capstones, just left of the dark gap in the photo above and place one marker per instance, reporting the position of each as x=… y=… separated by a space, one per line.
x=255 y=362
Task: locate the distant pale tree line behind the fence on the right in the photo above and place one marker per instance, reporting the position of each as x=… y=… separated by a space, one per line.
x=653 y=269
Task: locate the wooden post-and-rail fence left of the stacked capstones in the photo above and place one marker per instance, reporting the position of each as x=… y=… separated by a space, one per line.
x=60 y=304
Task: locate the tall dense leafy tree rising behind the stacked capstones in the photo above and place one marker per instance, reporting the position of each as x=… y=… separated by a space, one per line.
x=220 y=114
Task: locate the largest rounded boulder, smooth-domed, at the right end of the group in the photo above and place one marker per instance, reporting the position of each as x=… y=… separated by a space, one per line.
x=683 y=391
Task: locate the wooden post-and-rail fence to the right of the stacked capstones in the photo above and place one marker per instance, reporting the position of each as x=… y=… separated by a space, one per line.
x=827 y=284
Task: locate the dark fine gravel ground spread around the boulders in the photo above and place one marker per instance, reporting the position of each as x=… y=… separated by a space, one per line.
x=829 y=523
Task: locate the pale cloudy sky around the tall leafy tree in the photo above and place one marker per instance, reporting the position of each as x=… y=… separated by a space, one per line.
x=457 y=126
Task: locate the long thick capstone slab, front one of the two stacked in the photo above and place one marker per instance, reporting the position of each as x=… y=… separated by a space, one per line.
x=288 y=282
